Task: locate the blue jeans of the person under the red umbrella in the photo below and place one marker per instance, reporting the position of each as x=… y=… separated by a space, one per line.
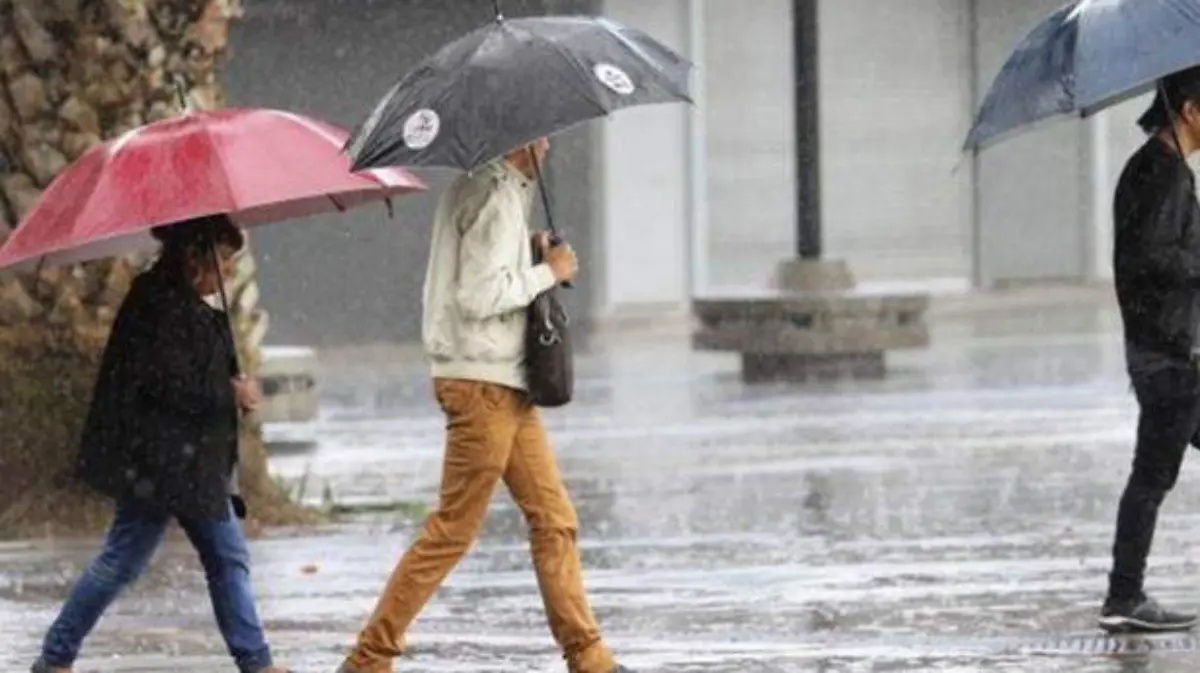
x=131 y=543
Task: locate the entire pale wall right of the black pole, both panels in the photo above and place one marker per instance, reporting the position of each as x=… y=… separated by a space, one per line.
x=901 y=86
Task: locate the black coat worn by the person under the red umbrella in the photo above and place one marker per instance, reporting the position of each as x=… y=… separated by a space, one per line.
x=163 y=428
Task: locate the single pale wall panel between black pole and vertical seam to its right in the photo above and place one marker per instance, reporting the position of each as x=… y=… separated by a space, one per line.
x=896 y=104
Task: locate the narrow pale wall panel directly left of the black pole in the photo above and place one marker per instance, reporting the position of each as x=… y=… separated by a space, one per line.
x=751 y=141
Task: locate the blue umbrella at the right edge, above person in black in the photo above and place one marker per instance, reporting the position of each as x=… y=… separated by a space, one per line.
x=1089 y=56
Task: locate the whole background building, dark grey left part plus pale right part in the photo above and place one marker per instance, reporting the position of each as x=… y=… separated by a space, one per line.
x=671 y=202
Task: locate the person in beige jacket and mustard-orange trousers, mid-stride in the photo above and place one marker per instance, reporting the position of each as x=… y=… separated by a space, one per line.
x=479 y=284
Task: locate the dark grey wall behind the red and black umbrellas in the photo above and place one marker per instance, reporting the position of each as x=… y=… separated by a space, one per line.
x=357 y=278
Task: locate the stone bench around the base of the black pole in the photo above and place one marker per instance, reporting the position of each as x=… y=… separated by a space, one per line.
x=805 y=335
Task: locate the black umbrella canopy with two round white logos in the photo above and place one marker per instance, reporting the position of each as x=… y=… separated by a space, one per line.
x=513 y=82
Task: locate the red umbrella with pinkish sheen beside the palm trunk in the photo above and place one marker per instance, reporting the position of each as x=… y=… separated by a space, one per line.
x=257 y=166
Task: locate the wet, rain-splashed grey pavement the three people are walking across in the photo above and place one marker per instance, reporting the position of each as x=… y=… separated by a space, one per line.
x=955 y=519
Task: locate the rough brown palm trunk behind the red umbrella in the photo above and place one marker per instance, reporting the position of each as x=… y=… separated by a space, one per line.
x=74 y=74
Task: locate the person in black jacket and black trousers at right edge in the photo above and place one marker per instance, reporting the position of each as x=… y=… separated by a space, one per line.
x=1157 y=268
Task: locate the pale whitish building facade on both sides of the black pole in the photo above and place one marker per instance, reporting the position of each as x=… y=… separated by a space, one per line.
x=703 y=200
